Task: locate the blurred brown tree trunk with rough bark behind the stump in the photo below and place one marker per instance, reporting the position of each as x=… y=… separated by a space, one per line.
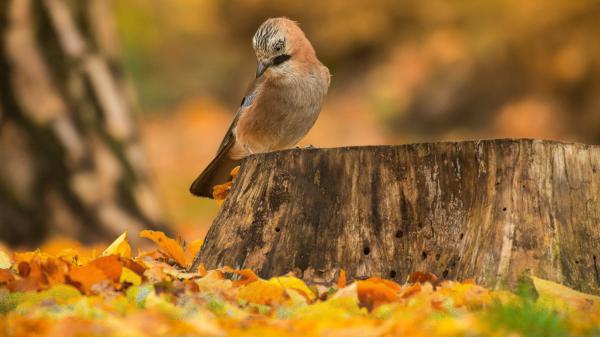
x=71 y=162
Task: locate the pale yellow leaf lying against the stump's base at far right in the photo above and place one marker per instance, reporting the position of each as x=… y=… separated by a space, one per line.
x=553 y=292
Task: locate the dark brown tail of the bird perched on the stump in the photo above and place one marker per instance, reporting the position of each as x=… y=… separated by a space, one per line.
x=217 y=172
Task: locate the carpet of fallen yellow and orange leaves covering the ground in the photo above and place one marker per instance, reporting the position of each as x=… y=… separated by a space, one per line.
x=152 y=294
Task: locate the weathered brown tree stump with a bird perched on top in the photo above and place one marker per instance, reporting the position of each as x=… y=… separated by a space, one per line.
x=490 y=210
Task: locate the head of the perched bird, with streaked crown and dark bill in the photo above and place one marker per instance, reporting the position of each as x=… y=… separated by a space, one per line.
x=277 y=42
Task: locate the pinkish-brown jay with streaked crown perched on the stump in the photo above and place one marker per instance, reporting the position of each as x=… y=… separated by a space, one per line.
x=280 y=106
